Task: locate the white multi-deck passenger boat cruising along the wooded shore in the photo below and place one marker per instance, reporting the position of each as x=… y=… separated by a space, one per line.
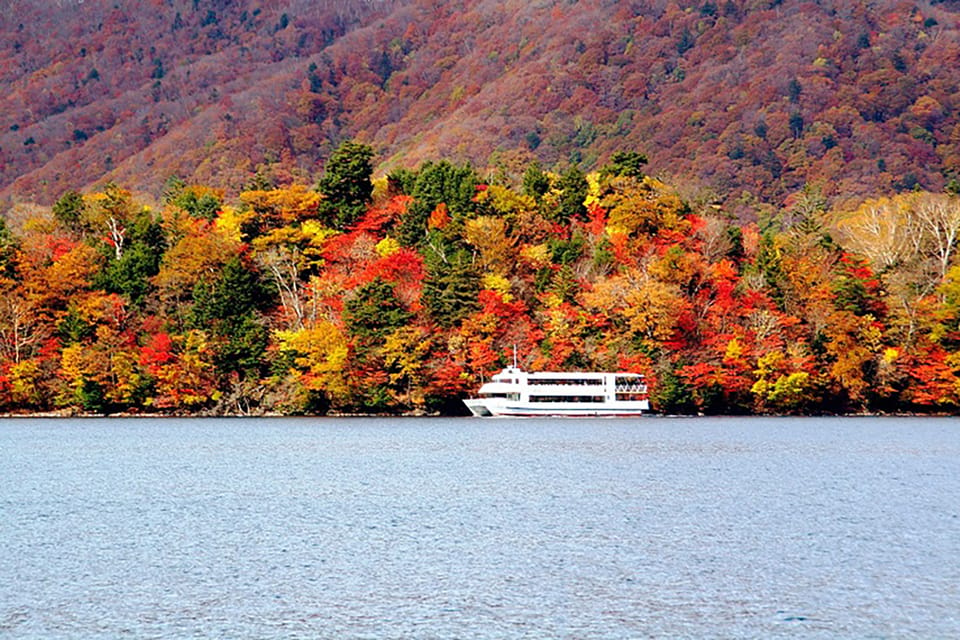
x=514 y=392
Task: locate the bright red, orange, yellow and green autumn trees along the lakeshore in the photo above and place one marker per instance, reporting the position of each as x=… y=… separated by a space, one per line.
x=402 y=293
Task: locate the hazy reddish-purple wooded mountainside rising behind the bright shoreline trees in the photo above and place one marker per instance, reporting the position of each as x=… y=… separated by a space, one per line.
x=743 y=101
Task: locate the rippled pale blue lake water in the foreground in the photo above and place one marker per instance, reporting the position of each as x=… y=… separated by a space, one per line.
x=470 y=528
